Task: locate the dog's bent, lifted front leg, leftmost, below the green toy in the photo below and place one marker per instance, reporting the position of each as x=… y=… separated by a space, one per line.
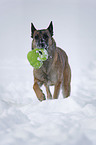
x=38 y=91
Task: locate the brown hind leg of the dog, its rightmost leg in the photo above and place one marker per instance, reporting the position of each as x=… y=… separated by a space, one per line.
x=66 y=87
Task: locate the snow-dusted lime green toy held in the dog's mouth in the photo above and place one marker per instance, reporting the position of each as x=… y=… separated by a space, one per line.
x=37 y=56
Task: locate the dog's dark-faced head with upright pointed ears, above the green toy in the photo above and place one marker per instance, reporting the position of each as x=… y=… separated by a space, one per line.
x=42 y=38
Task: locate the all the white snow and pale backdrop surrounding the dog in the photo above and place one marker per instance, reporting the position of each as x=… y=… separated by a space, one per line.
x=23 y=119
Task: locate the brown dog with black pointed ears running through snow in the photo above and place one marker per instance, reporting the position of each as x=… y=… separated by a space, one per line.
x=55 y=70
